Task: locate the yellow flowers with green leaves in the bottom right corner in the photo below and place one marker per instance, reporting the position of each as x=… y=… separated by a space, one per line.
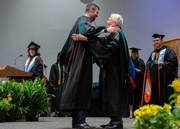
x=158 y=117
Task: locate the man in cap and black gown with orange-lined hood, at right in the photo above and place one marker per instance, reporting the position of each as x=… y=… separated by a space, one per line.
x=161 y=70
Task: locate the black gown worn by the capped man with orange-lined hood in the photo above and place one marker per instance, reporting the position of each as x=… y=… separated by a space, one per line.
x=167 y=75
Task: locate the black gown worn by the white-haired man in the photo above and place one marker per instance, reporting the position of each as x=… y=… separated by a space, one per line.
x=106 y=49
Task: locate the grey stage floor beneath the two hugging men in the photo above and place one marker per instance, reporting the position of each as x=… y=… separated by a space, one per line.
x=60 y=123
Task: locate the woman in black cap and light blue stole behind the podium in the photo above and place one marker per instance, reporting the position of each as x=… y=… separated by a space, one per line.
x=33 y=64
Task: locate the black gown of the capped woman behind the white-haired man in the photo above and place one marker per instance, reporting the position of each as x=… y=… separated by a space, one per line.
x=139 y=64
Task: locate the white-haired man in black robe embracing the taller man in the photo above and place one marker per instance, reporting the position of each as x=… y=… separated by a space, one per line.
x=110 y=51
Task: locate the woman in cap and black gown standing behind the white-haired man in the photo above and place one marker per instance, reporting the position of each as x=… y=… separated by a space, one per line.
x=134 y=98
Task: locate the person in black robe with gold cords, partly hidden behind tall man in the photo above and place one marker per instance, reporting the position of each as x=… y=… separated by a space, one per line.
x=56 y=80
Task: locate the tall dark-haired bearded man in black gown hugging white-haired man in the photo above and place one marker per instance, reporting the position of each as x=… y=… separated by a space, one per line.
x=77 y=88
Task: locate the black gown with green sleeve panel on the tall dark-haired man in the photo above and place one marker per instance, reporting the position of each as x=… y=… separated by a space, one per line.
x=78 y=62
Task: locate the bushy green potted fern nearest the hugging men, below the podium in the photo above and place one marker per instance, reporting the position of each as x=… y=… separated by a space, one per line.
x=35 y=99
